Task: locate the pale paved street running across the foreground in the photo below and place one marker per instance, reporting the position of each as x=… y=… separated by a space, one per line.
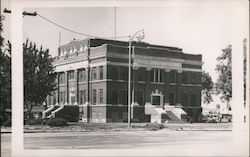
x=213 y=142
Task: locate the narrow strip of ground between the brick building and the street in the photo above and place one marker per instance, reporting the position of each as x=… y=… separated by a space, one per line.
x=90 y=127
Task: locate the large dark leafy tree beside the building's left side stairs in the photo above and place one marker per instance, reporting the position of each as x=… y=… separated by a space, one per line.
x=39 y=76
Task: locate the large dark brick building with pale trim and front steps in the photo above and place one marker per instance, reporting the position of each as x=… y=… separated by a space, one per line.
x=93 y=82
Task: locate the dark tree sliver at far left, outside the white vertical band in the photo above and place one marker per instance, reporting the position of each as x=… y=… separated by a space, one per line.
x=5 y=74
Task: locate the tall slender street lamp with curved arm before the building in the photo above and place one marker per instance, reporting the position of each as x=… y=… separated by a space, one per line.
x=140 y=36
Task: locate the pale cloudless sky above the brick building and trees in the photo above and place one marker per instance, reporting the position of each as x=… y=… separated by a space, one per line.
x=199 y=27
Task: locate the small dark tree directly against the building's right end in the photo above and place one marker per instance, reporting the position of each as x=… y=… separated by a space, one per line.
x=207 y=88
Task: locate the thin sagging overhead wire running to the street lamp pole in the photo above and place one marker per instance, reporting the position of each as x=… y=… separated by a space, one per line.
x=72 y=31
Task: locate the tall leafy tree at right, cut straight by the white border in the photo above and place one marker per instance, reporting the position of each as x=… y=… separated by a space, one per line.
x=224 y=69
